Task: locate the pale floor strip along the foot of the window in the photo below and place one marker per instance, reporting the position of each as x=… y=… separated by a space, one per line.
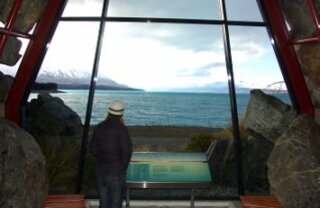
x=173 y=204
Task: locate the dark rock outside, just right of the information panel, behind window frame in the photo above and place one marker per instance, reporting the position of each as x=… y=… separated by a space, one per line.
x=255 y=154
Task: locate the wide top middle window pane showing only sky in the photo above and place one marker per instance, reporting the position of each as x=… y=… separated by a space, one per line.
x=189 y=9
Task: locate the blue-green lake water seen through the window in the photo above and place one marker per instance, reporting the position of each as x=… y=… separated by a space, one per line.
x=160 y=108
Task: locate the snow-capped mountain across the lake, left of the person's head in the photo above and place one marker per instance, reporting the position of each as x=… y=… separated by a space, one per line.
x=71 y=79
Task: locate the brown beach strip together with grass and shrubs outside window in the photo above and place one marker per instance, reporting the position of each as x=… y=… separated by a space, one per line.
x=62 y=154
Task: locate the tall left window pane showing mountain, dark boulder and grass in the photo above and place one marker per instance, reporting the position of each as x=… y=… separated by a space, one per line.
x=57 y=105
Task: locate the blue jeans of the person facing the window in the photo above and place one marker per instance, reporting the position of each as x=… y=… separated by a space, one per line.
x=111 y=191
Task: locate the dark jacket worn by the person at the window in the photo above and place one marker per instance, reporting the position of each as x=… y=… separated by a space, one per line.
x=112 y=146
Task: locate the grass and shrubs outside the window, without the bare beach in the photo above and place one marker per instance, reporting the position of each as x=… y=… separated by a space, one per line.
x=62 y=157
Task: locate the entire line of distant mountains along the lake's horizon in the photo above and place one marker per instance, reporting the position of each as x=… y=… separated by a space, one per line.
x=71 y=79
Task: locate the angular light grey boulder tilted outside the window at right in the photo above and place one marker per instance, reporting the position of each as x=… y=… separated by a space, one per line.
x=267 y=116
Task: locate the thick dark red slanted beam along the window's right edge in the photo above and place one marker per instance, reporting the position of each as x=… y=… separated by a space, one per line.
x=288 y=56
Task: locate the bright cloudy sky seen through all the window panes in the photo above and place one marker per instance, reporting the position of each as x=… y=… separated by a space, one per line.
x=155 y=56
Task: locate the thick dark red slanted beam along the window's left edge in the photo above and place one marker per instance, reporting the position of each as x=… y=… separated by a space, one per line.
x=32 y=59
